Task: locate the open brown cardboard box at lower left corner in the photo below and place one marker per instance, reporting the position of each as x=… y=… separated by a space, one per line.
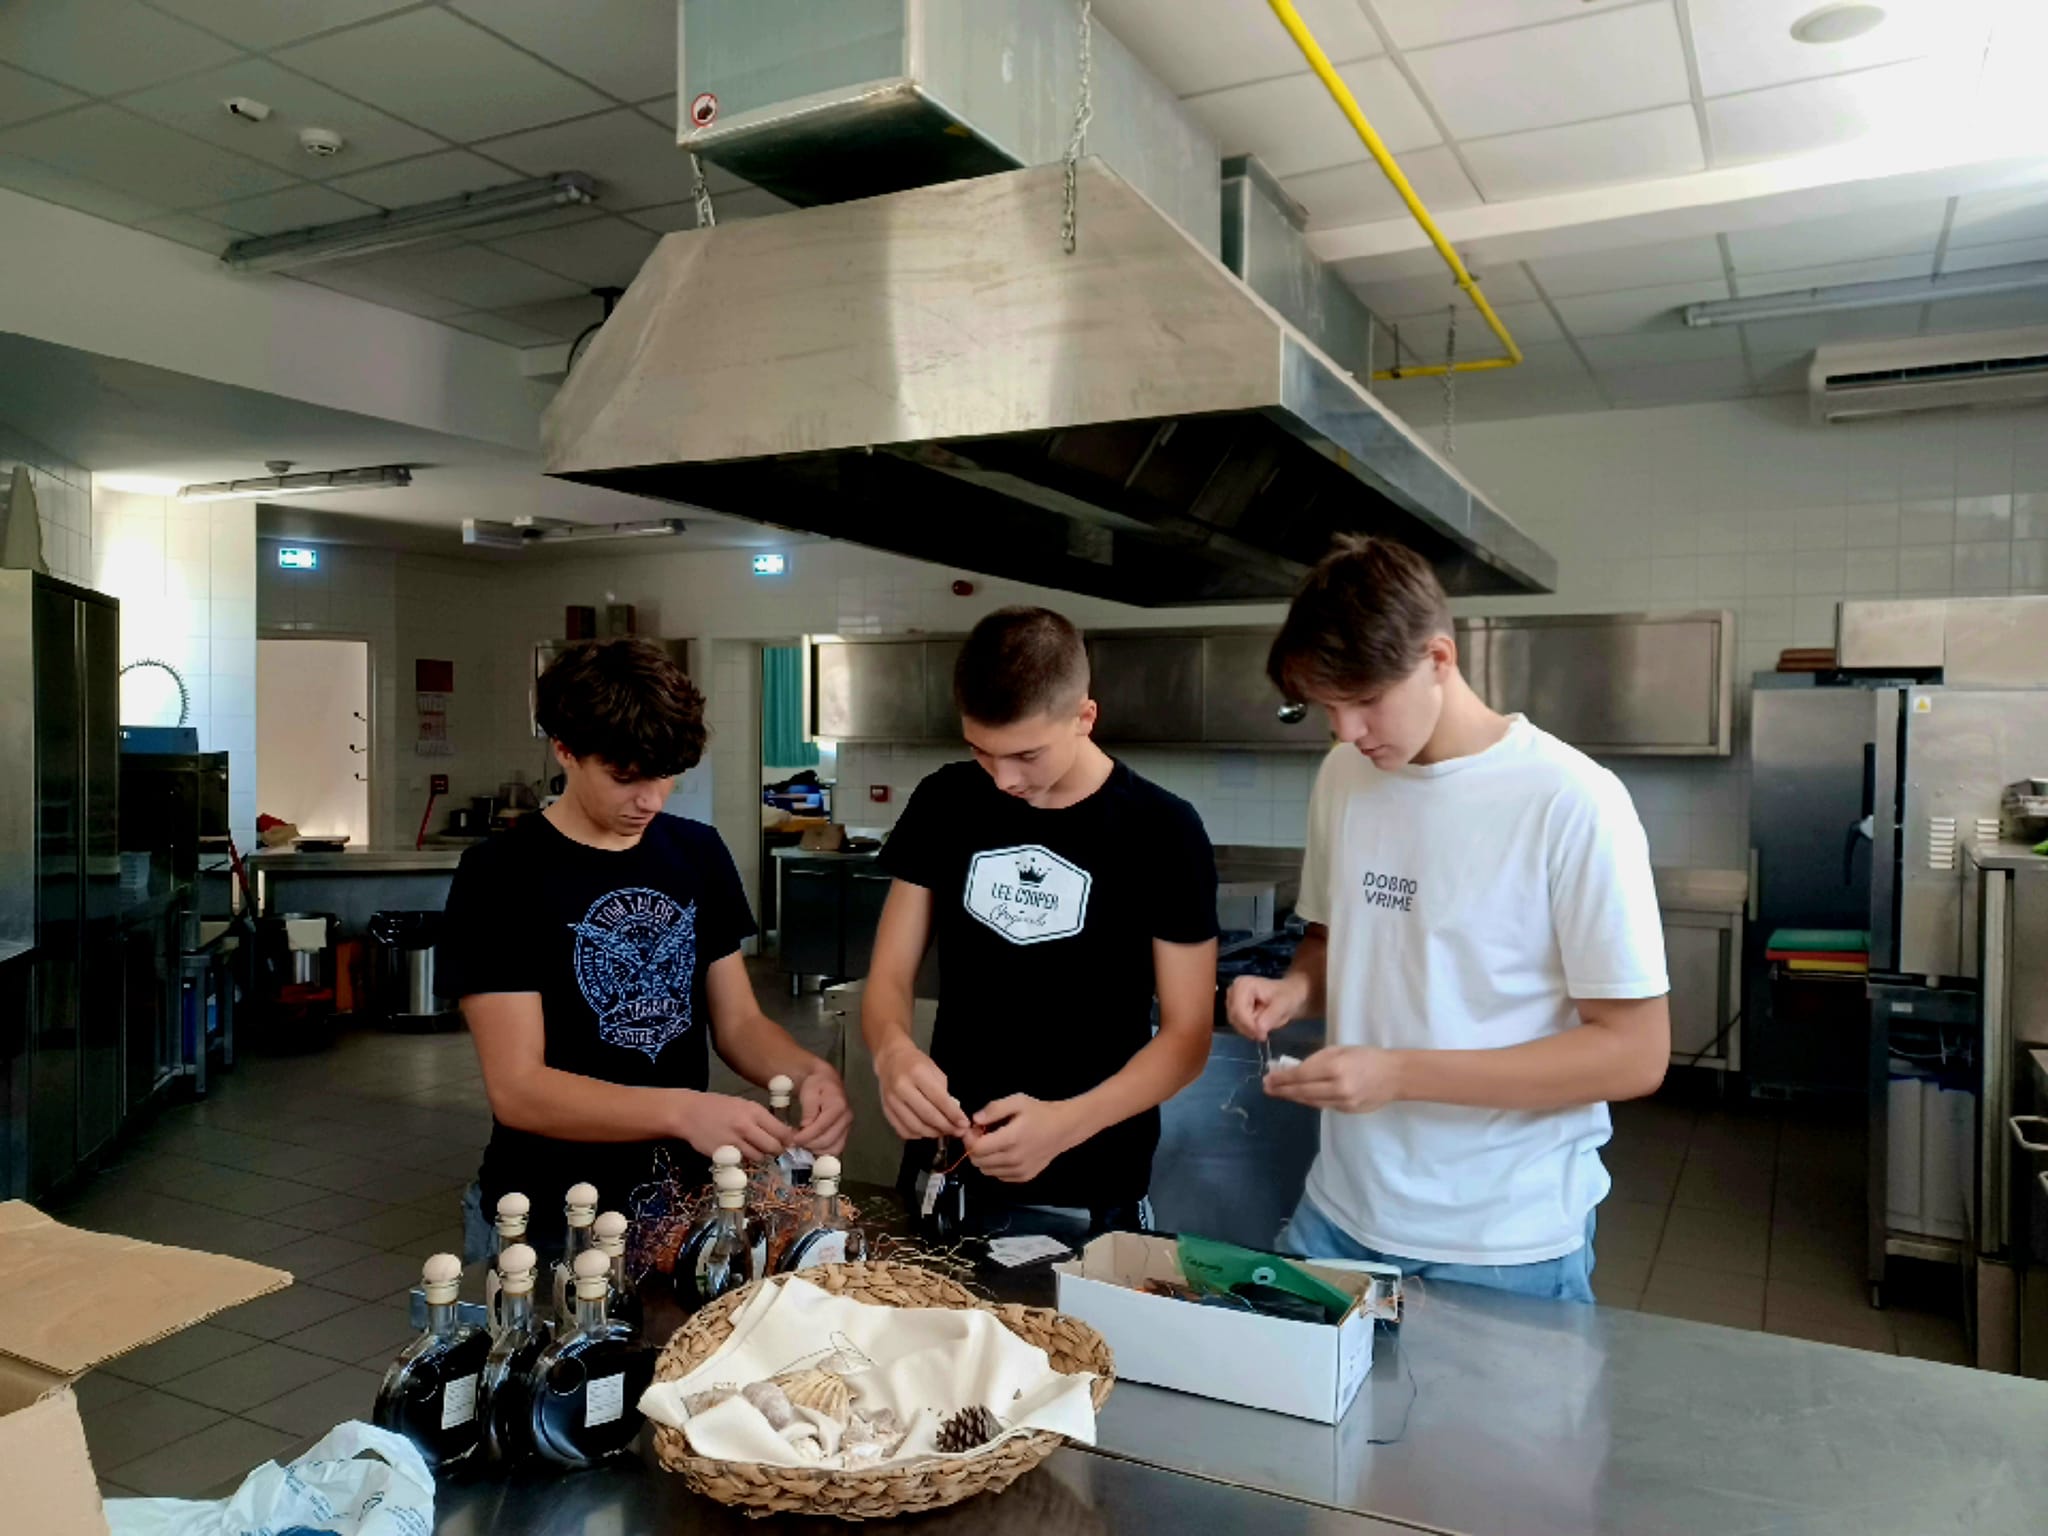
x=75 y=1302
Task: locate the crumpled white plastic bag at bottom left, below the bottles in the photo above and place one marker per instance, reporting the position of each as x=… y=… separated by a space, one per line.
x=357 y=1482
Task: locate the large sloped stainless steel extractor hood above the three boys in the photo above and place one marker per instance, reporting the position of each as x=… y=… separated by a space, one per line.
x=933 y=374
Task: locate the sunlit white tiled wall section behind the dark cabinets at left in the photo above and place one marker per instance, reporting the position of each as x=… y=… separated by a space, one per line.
x=185 y=574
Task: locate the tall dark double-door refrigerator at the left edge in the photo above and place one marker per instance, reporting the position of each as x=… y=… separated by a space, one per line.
x=60 y=878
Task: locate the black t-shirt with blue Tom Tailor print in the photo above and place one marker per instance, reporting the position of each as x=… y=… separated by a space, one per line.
x=617 y=943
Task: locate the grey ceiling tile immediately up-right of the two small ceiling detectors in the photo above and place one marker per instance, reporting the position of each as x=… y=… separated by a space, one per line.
x=437 y=71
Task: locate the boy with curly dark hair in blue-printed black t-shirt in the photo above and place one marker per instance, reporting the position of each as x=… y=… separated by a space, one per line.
x=597 y=957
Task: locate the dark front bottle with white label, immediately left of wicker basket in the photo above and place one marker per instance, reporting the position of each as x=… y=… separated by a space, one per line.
x=587 y=1385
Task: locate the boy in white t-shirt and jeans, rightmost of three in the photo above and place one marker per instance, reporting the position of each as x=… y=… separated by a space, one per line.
x=1484 y=945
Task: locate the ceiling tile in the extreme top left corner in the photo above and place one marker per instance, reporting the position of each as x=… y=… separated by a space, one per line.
x=103 y=46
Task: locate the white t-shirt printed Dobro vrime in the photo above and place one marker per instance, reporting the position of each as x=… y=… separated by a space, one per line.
x=1467 y=904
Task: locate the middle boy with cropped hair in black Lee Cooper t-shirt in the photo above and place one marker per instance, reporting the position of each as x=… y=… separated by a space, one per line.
x=1064 y=894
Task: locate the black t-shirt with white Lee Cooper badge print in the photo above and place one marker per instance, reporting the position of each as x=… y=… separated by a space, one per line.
x=1046 y=925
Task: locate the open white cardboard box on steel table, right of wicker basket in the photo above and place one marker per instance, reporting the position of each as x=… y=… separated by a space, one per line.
x=1310 y=1371
